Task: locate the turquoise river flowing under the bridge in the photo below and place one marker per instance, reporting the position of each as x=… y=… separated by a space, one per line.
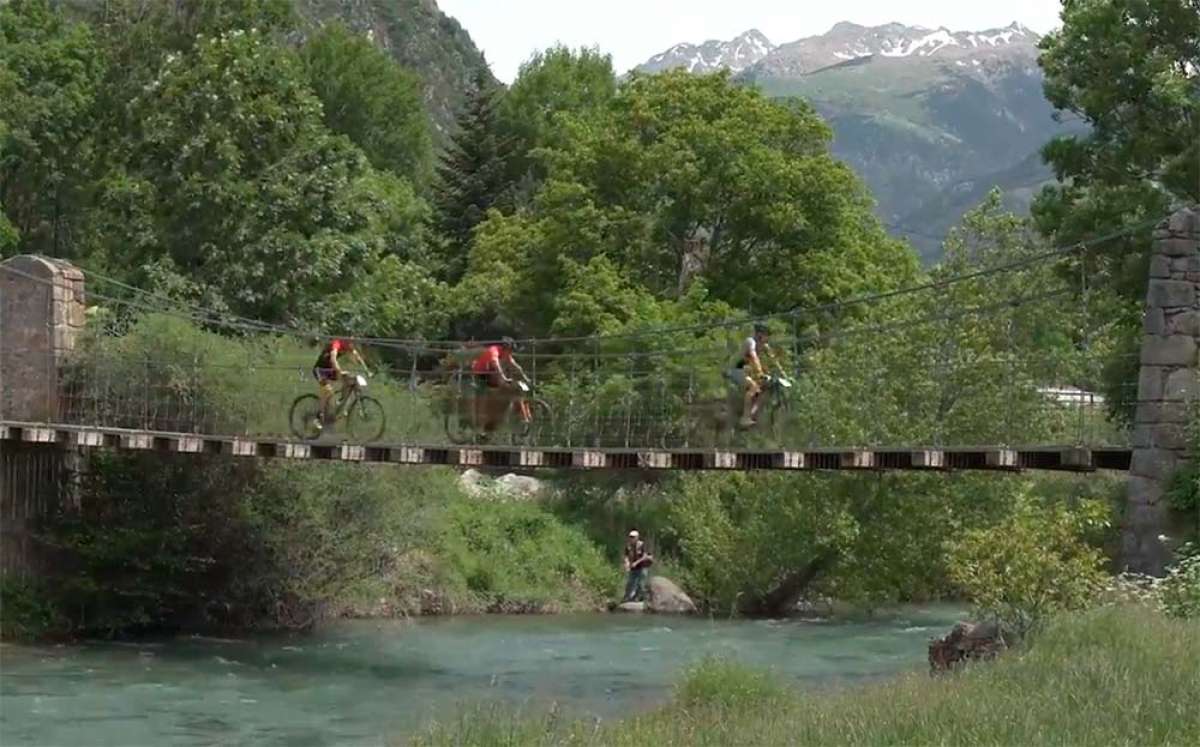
x=371 y=683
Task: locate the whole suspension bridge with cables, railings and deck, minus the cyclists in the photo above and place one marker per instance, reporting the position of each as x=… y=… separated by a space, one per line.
x=992 y=369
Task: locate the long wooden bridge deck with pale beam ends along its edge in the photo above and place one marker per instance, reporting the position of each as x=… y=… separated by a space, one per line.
x=987 y=458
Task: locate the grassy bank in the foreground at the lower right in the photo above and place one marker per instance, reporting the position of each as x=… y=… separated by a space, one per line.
x=1111 y=677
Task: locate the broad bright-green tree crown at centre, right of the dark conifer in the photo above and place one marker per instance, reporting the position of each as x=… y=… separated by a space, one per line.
x=671 y=160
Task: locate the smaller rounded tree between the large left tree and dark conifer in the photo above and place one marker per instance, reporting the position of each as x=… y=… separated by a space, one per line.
x=370 y=99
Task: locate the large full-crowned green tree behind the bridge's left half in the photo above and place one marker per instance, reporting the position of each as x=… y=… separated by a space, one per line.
x=231 y=182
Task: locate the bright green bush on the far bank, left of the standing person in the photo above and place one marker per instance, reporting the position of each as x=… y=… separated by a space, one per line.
x=518 y=557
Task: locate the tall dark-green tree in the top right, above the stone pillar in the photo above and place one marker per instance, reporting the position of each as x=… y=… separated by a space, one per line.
x=1131 y=69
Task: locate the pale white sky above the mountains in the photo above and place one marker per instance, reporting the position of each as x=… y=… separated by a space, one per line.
x=632 y=31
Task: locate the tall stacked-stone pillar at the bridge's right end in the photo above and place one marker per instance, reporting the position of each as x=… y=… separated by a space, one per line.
x=1167 y=390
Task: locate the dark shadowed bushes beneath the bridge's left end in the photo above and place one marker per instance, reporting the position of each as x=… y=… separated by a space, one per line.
x=152 y=543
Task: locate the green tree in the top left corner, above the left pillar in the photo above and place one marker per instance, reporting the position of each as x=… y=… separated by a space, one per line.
x=50 y=71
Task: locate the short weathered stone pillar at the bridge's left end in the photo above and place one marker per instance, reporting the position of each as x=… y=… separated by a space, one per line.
x=41 y=316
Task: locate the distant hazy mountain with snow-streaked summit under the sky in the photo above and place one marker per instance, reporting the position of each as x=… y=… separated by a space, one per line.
x=931 y=118
